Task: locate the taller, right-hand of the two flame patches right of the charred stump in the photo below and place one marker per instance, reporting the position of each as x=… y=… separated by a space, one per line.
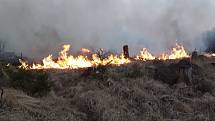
x=176 y=53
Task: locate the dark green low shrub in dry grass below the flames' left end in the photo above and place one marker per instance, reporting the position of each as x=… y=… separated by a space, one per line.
x=34 y=83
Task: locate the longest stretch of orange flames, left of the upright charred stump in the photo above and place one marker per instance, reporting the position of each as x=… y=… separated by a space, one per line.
x=66 y=61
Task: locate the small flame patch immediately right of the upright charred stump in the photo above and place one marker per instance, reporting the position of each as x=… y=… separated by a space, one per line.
x=145 y=55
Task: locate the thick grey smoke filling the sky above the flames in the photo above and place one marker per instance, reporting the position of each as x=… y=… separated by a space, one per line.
x=39 y=27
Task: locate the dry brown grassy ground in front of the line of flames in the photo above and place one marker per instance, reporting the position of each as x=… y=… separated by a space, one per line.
x=134 y=92
